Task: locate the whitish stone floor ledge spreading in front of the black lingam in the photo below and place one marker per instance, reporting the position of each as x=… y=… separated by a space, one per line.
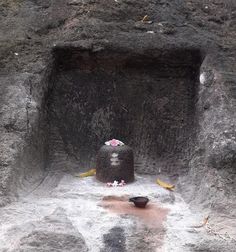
x=84 y=209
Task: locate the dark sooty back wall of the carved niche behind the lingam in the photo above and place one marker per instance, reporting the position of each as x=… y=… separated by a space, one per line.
x=145 y=100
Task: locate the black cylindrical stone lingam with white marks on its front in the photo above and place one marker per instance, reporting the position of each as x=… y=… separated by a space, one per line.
x=115 y=163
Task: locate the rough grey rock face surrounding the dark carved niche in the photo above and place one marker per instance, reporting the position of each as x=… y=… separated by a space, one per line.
x=31 y=29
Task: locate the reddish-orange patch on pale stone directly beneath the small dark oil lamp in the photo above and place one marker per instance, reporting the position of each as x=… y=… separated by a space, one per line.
x=153 y=216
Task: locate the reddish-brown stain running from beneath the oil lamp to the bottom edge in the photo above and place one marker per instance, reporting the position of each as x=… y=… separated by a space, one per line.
x=148 y=231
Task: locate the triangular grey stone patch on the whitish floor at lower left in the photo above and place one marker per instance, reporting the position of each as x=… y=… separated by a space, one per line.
x=53 y=233
